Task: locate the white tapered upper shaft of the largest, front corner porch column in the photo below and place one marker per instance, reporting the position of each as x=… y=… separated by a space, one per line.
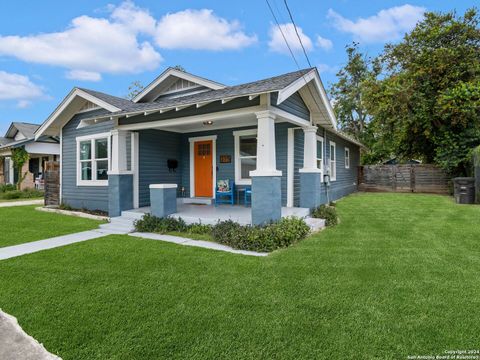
x=266 y=160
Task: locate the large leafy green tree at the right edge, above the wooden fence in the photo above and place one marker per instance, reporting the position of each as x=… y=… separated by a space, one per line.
x=427 y=104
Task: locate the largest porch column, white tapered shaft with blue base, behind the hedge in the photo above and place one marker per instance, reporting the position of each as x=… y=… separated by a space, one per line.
x=266 y=189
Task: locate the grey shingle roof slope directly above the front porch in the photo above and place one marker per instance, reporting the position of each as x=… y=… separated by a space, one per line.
x=256 y=87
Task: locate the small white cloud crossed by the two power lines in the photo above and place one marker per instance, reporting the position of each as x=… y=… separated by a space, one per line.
x=277 y=42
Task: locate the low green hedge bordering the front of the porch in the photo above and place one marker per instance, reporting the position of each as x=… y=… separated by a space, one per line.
x=273 y=236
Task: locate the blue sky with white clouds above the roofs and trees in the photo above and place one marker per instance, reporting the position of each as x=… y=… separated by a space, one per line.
x=48 y=47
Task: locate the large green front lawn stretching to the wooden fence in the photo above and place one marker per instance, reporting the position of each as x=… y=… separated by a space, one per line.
x=399 y=276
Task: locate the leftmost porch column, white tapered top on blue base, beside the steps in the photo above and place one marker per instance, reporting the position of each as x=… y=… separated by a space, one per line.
x=120 y=179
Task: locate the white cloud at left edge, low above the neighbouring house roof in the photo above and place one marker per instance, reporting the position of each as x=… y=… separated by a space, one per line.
x=18 y=88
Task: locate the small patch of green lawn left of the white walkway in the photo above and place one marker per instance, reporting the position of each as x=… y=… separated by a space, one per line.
x=21 y=224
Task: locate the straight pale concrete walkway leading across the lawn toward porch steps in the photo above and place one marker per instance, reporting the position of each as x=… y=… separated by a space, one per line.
x=34 y=246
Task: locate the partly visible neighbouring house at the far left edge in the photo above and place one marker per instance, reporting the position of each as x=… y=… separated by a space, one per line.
x=45 y=148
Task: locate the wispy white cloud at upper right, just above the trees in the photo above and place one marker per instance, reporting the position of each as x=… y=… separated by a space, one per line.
x=387 y=25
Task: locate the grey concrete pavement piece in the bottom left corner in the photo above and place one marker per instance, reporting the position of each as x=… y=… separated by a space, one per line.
x=16 y=344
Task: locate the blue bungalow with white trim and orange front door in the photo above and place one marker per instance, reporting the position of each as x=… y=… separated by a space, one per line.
x=277 y=135
